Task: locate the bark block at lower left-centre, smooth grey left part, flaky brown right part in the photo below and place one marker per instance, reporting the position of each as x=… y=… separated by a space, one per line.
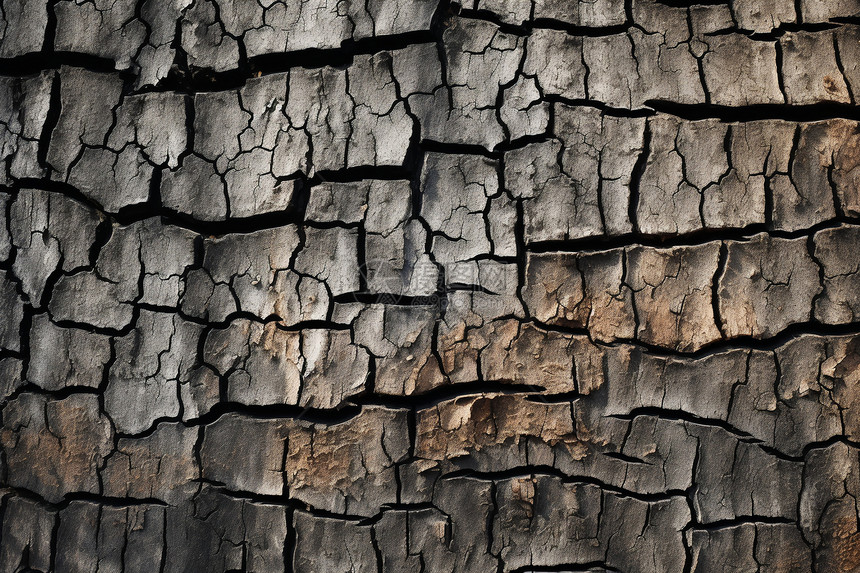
x=309 y=461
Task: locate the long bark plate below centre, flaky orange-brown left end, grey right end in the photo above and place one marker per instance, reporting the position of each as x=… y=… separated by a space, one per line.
x=515 y=432
